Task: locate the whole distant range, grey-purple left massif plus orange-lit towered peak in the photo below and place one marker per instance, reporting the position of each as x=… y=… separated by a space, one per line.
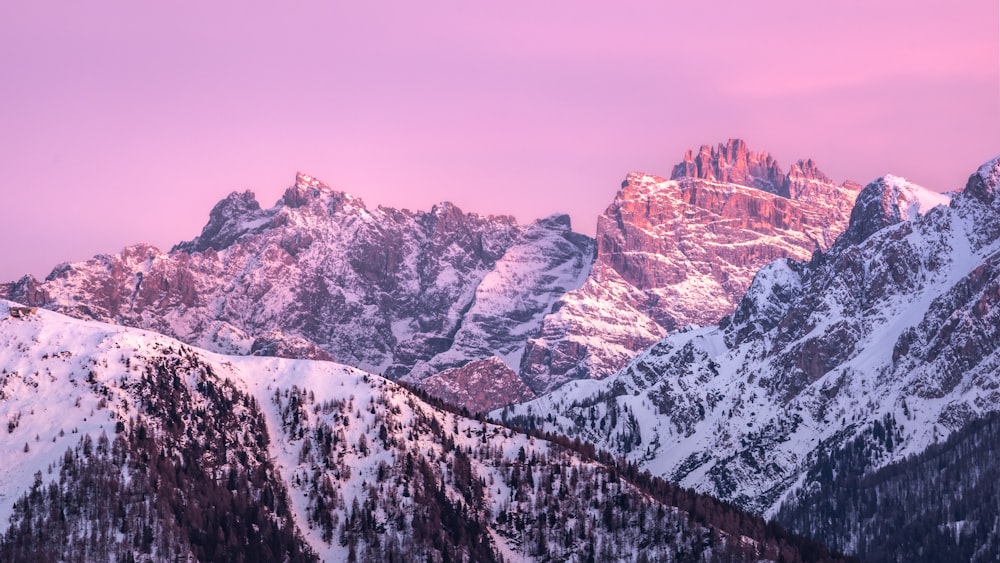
x=410 y=295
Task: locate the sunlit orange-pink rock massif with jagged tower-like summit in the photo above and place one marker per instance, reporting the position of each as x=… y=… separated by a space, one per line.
x=683 y=251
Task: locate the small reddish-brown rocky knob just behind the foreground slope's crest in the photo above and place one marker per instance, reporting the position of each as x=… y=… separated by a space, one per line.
x=479 y=386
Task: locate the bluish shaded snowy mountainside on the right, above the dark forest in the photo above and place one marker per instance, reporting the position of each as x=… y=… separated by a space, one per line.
x=892 y=337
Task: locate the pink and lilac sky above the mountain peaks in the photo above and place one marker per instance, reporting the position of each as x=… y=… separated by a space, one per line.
x=123 y=123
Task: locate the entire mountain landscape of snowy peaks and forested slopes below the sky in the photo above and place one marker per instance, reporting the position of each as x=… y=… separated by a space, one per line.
x=324 y=380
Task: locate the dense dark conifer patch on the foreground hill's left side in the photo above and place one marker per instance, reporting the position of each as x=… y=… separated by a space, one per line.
x=188 y=475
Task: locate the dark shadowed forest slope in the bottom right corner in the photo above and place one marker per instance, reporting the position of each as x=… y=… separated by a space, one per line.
x=942 y=504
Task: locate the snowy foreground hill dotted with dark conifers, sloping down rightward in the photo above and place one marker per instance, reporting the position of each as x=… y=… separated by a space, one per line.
x=123 y=444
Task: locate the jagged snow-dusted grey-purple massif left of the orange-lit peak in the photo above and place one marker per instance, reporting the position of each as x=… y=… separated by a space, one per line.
x=319 y=275
